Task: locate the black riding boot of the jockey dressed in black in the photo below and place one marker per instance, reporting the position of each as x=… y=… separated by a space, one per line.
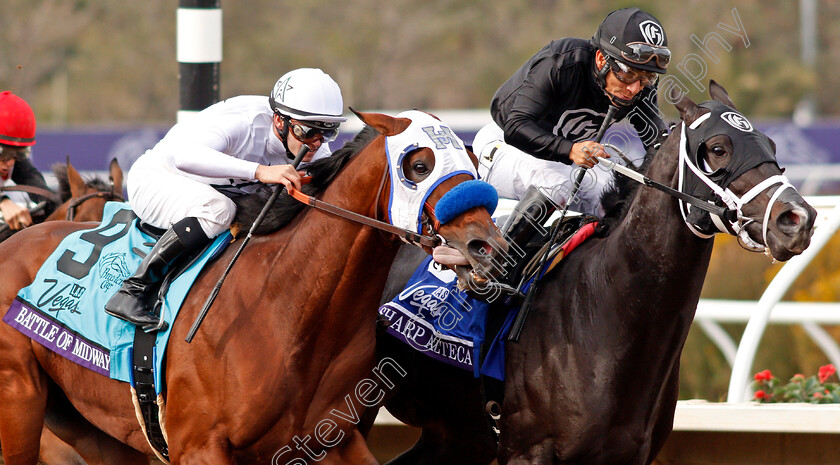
x=527 y=218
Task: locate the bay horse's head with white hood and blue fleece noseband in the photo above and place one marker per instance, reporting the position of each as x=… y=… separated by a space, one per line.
x=433 y=189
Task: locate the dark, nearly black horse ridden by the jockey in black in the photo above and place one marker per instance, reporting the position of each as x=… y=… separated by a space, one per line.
x=594 y=376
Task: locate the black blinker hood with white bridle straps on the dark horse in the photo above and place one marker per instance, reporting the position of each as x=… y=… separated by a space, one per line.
x=696 y=179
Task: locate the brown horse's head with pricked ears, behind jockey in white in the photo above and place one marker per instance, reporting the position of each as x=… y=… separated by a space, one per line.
x=85 y=201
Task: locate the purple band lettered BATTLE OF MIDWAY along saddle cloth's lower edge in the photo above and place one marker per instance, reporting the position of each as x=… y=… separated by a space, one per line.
x=53 y=335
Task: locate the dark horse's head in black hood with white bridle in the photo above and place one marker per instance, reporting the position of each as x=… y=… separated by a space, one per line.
x=725 y=159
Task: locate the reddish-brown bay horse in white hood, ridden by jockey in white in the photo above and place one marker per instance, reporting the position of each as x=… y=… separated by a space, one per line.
x=284 y=366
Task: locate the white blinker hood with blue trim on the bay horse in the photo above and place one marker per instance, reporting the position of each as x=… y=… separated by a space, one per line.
x=451 y=158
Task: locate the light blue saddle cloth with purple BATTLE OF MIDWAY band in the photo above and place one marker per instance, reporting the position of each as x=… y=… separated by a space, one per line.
x=63 y=309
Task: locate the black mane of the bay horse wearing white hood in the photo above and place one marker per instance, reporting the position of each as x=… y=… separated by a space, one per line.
x=285 y=208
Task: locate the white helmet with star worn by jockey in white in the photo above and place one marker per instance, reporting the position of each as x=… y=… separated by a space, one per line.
x=309 y=95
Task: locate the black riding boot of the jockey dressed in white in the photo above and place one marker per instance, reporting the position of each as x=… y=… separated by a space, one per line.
x=131 y=302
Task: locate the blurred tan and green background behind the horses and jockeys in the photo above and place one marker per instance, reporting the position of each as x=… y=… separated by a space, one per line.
x=102 y=78
